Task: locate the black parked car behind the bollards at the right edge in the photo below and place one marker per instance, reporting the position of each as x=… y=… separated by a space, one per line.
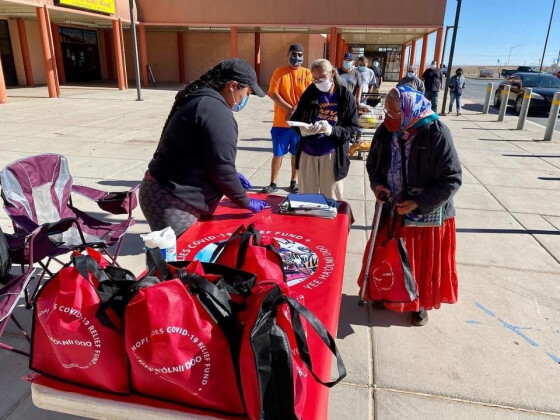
x=544 y=87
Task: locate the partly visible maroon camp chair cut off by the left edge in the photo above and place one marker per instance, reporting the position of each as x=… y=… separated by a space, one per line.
x=10 y=293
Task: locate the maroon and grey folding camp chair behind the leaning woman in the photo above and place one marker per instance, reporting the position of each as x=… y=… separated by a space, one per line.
x=37 y=196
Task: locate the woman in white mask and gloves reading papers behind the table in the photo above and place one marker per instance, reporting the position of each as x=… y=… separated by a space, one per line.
x=322 y=151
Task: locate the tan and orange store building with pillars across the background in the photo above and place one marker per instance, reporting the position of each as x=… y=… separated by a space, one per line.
x=56 y=42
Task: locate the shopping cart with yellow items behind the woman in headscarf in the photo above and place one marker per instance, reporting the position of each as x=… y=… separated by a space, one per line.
x=370 y=116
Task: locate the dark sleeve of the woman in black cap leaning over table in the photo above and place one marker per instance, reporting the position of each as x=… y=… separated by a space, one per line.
x=220 y=150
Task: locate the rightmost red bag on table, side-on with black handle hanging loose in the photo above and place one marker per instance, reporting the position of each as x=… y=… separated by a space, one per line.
x=274 y=359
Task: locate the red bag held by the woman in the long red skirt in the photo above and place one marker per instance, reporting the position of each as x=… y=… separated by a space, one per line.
x=390 y=277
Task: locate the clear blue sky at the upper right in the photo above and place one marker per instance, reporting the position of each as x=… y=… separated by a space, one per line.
x=489 y=28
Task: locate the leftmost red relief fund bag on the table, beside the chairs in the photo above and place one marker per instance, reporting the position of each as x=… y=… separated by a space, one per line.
x=76 y=336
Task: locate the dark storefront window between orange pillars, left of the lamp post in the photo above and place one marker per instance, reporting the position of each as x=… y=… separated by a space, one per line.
x=80 y=53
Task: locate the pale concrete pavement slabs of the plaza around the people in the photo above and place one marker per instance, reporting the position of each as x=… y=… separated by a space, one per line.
x=493 y=355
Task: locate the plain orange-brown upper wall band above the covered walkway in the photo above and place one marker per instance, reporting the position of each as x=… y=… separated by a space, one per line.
x=294 y=12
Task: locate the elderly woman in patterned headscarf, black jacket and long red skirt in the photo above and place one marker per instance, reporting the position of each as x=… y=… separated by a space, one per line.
x=413 y=161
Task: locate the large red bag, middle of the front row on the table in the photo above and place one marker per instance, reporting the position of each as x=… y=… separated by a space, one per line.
x=182 y=339
